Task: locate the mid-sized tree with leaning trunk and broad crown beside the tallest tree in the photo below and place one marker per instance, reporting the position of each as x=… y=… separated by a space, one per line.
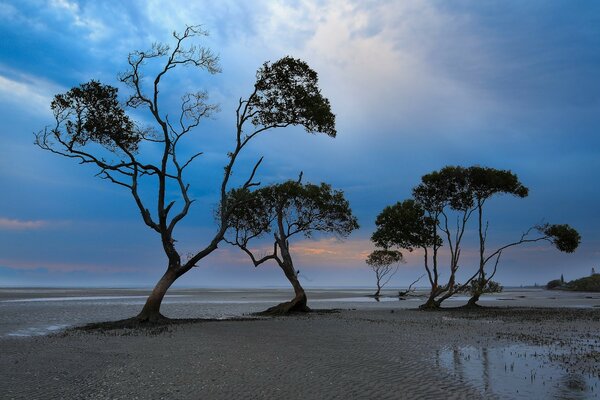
x=287 y=209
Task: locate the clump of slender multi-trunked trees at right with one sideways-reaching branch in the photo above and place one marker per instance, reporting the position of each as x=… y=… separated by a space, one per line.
x=443 y=204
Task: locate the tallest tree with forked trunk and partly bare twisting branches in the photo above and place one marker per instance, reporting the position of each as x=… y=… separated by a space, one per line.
x=92 y=127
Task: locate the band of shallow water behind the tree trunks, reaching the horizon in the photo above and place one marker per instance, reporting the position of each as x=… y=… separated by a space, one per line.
x=39 y=311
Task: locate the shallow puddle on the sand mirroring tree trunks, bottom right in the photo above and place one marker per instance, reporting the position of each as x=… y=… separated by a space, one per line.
x=519 y=371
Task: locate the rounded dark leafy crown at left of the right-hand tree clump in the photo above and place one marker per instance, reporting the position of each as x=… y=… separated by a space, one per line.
x=404 y=225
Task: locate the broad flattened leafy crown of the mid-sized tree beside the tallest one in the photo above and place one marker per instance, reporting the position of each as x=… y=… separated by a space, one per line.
x=301 y=208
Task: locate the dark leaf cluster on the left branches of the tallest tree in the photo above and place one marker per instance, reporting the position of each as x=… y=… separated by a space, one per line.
x=91 y=112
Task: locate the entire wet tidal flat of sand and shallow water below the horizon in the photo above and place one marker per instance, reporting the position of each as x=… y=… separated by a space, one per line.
x=526 y=343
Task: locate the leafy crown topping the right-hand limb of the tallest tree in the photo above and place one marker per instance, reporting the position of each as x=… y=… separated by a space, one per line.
x=287 y=93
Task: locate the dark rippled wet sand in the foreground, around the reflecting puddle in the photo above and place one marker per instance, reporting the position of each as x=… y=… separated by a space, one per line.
x=354 y=354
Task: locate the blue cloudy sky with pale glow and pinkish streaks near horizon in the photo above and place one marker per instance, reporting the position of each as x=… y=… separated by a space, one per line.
x=415 y=86
